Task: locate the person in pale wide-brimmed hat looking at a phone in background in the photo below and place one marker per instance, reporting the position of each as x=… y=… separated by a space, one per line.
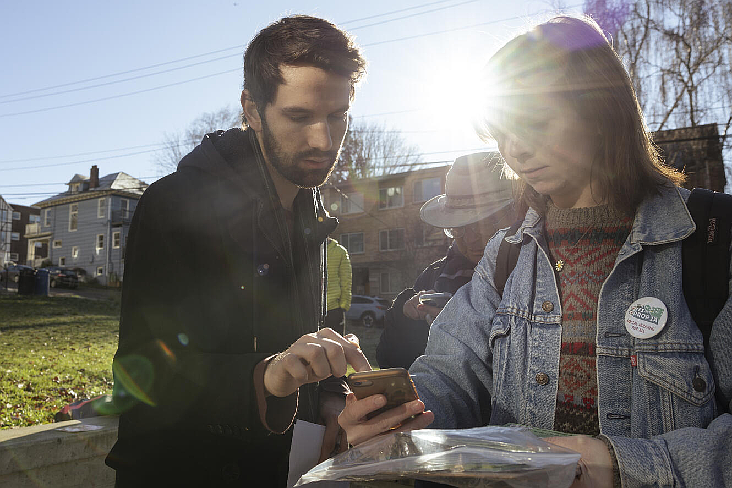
x=477 y=202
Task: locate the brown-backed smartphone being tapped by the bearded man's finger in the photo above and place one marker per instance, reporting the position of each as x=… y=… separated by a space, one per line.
x=394 y=383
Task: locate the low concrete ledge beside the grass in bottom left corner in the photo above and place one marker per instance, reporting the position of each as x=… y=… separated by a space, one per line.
x=50 y=455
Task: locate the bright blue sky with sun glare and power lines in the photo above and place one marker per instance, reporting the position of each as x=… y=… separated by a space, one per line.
x=78 y=86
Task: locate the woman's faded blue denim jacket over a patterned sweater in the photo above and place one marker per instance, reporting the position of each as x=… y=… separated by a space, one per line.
x=488 y=358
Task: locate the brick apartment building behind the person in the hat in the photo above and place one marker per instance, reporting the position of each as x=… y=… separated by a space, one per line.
x=380 y=226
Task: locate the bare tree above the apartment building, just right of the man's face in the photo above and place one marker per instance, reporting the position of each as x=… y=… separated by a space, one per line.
x=369 y=149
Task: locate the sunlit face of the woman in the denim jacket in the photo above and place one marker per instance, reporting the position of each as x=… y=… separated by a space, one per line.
x=552 y=149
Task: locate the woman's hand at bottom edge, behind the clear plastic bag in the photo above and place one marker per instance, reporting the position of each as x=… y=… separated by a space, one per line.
x=595 y=467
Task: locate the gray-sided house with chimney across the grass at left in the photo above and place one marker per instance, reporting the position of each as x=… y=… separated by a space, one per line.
x=86 y=226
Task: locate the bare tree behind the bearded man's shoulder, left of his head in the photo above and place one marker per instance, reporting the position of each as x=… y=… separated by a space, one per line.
x=178 y=144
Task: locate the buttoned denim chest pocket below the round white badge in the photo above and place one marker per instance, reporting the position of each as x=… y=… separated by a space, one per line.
x=681 y=384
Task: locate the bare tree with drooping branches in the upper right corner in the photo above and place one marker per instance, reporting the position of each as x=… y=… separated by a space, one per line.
x=679 y=56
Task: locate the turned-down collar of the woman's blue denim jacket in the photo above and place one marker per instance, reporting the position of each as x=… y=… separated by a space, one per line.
x=661 y=218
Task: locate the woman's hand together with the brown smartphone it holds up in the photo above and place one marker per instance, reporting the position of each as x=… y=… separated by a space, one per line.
x=364 y=416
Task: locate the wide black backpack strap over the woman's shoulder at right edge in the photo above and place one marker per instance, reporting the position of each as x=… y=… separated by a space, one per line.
x=706 y=257
